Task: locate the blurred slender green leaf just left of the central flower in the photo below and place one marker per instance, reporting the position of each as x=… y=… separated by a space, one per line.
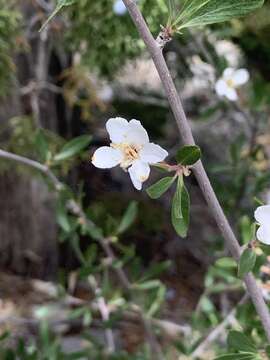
x=73 y=147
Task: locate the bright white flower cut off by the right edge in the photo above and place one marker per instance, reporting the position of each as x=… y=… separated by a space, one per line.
x=262 y=216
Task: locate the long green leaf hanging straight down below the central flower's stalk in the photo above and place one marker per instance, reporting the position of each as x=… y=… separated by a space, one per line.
x=181 y=224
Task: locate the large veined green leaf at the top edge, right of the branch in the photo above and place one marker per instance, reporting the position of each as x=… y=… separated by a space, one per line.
x=205 y=12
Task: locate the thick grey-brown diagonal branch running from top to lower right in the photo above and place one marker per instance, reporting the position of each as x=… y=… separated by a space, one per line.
x=199 y=171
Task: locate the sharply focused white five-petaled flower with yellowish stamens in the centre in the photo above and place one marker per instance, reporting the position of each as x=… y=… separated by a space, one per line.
x=130 y=148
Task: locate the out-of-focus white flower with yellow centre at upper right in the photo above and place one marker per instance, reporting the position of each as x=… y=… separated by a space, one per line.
x=230 y=81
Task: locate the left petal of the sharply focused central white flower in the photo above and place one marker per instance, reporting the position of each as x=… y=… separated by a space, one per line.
x=106 y=157
